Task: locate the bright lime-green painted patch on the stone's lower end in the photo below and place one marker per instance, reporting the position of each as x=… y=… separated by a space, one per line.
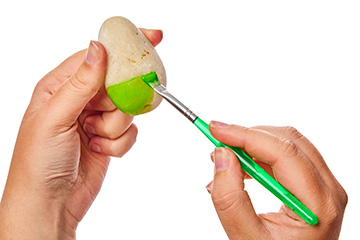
x=132 y=97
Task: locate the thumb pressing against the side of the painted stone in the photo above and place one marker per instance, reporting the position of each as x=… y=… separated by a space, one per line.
x=73 y=95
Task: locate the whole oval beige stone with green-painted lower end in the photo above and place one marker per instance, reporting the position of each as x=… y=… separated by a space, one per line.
x=130 y=55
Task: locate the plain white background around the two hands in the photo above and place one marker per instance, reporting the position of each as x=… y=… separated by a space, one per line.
x=245 y=62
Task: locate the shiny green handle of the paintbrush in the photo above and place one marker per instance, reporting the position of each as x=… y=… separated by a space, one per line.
x=258 y=173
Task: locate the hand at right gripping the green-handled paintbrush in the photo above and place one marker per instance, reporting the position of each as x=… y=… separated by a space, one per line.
x=296 y=164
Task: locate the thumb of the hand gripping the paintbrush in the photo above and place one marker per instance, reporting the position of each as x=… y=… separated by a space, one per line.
x=231 y=201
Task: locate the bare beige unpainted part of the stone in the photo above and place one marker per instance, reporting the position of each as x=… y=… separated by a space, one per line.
x=130 y=54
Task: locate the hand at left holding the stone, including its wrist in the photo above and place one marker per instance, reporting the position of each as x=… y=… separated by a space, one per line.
x=68 y=133
